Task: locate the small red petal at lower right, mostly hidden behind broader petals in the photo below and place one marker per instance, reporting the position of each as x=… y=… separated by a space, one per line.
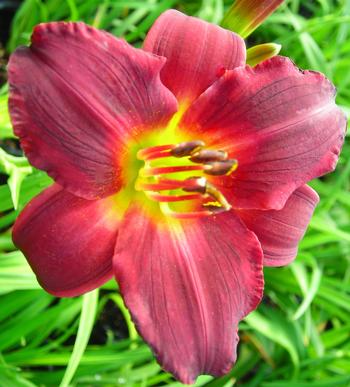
x=279 y=232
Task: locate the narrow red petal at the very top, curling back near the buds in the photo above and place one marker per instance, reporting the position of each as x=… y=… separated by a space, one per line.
x=196 y=52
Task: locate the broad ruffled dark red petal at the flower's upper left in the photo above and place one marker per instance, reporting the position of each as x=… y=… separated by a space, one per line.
x=77 y=95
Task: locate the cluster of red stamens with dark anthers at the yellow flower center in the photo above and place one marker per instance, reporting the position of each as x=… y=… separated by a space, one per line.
x=189 y=194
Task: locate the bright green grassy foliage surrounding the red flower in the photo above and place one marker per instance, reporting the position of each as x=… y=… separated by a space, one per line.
x=300 y=334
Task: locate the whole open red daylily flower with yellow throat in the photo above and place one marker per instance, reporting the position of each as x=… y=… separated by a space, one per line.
x=176 y=166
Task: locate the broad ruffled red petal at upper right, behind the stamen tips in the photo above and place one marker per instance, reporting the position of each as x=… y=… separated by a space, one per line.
x=280 y=123
